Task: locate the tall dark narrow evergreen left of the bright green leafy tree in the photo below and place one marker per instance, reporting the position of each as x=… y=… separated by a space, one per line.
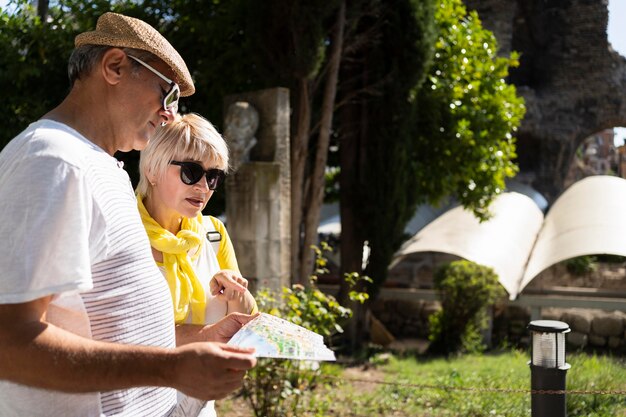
x=393 y=67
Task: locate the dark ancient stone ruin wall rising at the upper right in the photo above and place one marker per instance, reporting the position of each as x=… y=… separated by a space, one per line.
x=573 y=82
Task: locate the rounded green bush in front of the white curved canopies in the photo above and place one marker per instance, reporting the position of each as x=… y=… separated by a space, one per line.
x=465 y=290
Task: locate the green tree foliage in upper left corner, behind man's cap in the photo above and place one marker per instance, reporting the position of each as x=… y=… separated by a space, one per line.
x=34 y=54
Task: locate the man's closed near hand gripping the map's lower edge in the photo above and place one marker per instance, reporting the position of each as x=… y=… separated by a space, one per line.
x=210 y=371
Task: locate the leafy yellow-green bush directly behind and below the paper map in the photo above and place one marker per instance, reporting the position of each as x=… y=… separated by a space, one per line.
x=276 y=387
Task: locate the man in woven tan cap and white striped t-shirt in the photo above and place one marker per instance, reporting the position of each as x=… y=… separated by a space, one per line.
x=86 y=319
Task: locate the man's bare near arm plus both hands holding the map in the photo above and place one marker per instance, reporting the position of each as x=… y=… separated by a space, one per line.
x=36 y=353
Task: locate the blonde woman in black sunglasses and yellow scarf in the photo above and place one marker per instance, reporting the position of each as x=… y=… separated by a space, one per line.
x=179 y=170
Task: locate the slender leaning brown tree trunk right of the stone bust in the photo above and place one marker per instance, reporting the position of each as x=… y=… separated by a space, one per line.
x=315 y=195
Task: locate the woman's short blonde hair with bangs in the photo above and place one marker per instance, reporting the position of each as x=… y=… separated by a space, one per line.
x=188 y=137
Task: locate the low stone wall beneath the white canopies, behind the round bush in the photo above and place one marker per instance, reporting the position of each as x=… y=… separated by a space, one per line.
x=594 y=329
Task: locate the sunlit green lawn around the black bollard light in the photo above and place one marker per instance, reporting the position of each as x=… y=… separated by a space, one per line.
x=404 y=394
